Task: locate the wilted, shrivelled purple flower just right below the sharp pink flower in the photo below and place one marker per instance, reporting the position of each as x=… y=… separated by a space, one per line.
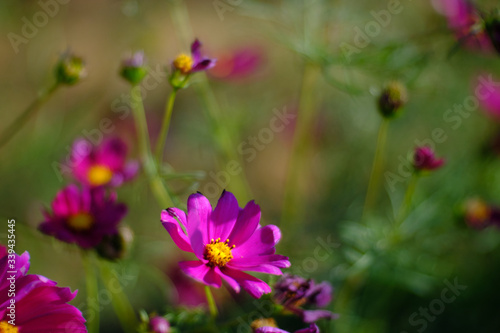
x=294 y=291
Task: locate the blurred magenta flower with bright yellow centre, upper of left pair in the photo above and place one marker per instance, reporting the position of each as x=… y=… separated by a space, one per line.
x=102 y=165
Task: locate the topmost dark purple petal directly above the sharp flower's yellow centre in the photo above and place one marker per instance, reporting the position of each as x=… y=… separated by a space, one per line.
x=223 y=218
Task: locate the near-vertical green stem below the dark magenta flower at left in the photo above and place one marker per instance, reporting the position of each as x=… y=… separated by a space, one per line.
x=92 y=292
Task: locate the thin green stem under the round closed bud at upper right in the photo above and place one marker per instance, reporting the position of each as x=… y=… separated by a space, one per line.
x=377 y=168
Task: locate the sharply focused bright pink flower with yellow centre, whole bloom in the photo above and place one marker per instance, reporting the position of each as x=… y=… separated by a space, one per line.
x=227 y=241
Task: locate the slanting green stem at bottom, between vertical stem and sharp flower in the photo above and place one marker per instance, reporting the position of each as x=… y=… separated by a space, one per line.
x=119 y=300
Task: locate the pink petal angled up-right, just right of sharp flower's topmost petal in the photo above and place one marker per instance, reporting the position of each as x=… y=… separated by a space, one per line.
x=247 y=223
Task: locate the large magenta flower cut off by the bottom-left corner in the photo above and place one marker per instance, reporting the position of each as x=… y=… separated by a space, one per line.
x=40 y=306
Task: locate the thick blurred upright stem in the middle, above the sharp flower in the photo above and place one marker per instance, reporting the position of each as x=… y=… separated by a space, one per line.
x=297 y=166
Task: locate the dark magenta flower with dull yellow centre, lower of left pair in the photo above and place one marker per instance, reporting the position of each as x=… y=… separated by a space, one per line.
x=83 y=216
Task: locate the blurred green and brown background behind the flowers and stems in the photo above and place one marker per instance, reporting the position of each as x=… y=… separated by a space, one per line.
x=391 y=282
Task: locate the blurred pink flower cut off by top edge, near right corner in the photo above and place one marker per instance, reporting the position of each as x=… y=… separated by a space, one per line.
x=465 y=21
